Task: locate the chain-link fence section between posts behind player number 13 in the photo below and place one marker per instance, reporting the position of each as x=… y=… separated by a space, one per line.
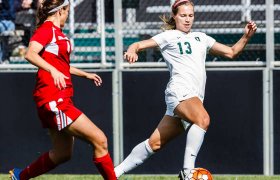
x=224 y=20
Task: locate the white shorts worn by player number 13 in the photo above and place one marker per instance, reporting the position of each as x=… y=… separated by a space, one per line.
x=173 y=96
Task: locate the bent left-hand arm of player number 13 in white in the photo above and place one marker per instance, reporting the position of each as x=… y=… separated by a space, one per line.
x=131 y=54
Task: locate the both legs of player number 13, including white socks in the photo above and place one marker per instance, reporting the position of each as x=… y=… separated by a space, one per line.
x=169 y=128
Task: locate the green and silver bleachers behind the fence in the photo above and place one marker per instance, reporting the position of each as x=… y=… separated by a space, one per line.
x=224 y=24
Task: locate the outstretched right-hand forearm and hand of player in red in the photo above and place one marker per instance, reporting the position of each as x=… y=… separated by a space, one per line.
x=92 y=76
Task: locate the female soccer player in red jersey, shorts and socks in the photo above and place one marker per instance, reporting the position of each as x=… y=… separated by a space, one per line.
x=49 y=49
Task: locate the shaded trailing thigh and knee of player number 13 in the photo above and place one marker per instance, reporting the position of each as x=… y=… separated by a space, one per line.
x=168 y=128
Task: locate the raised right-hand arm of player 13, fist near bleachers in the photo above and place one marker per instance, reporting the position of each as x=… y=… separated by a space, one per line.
x=232 y=52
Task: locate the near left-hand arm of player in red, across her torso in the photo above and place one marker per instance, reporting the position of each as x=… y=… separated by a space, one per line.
x=32 y=55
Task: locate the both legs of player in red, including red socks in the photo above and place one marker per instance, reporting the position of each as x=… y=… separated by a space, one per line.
x=62 y=149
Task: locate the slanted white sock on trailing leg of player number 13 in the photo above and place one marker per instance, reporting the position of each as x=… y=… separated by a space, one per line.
x=138 y=155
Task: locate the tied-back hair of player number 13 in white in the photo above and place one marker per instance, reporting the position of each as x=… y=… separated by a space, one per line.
x=169 y=22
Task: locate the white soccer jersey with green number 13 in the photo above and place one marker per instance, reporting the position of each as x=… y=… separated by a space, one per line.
x=185 y=55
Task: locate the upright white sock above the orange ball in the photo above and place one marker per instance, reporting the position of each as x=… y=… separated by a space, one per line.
x=195 y=138
